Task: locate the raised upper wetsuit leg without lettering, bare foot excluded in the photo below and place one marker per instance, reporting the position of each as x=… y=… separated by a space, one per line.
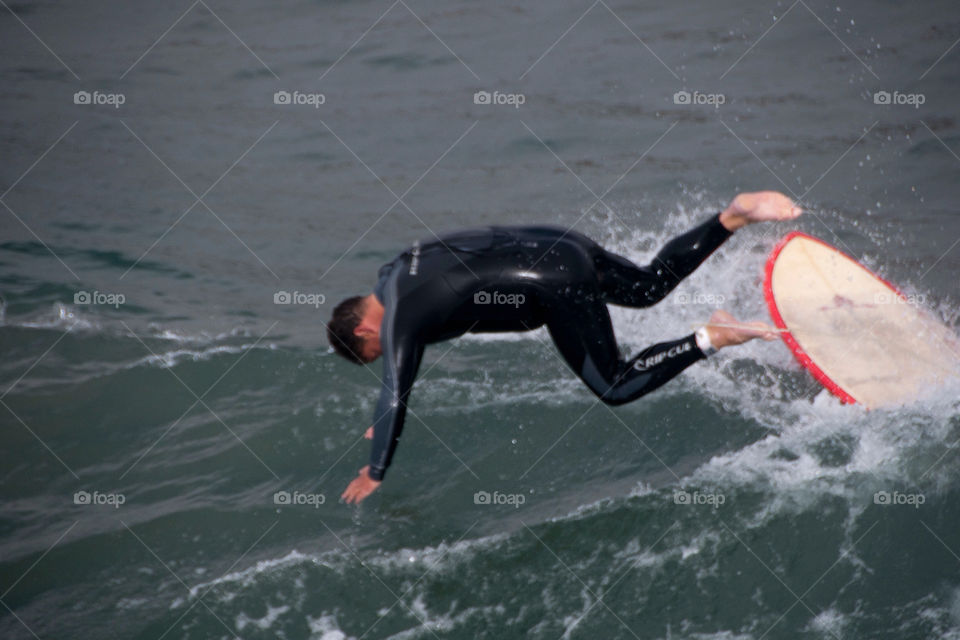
x=624 y=283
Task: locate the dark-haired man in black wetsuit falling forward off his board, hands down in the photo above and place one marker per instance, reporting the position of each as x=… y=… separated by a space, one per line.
x=519 y=279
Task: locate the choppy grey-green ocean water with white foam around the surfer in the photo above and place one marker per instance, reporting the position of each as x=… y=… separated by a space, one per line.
x=175 y=442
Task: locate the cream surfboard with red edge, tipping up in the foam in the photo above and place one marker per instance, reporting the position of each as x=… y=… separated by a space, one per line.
x=855 y=332
